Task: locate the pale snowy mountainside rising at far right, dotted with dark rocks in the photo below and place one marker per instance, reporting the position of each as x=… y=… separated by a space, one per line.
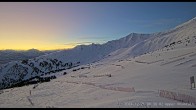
x=184 y=33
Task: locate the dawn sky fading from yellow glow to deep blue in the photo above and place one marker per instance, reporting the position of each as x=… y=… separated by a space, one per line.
x=62 y=25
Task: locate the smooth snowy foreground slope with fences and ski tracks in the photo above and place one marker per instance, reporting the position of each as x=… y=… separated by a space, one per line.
x=92 y=87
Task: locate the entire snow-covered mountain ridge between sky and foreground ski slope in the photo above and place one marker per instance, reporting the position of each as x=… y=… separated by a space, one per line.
x=130 y=46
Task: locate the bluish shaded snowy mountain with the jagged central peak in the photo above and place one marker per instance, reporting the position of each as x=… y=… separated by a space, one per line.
x=95 y=52
